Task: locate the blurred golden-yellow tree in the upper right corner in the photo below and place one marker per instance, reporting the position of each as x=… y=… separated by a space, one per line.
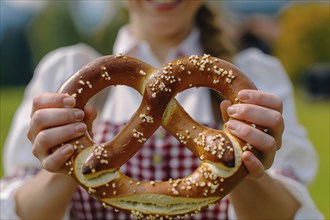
x=305 y=37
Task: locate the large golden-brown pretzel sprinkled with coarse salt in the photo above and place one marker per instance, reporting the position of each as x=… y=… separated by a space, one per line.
x=96 y=167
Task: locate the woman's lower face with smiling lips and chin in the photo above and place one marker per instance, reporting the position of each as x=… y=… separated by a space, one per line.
x=164 y=18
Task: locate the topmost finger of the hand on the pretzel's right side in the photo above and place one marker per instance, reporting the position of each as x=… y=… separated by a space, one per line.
x=260 y=98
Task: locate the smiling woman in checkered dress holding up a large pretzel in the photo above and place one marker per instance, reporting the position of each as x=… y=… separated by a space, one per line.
x=158 y=31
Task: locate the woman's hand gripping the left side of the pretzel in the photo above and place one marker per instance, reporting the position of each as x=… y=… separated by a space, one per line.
x=53 y=122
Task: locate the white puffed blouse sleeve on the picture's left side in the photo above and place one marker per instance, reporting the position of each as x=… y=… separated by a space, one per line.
x=18 y=161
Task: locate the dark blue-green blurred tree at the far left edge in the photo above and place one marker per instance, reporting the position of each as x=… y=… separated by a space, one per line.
x=15 y=54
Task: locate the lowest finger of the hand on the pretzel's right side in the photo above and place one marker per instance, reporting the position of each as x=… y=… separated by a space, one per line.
x=253 y=164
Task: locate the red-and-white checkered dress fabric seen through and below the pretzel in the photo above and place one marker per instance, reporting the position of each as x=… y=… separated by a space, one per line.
x=162 y=157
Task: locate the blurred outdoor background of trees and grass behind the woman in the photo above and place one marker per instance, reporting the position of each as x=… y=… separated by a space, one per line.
x=297 y=32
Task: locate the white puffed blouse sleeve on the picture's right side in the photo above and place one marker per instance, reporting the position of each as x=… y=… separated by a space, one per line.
x=296 y=163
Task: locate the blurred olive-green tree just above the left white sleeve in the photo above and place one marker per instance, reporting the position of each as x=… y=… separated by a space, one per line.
x=55 y=28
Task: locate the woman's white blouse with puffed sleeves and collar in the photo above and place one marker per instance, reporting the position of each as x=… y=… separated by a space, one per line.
x=265 y=71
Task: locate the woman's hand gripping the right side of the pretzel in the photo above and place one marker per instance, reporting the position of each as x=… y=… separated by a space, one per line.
x=263 y=110
